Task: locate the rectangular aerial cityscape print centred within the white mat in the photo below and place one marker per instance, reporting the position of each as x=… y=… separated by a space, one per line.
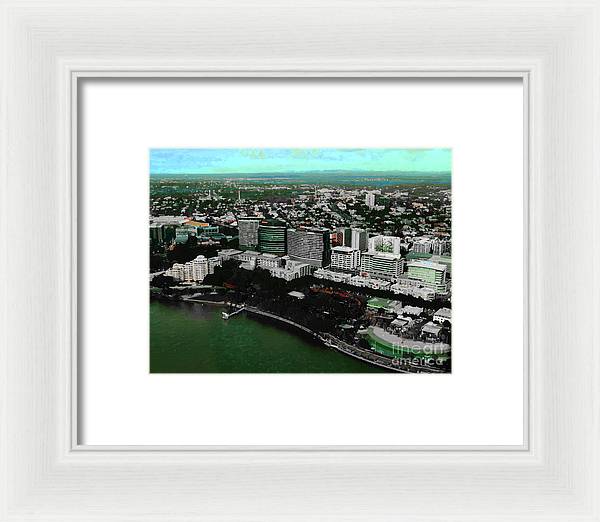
x=297 y=260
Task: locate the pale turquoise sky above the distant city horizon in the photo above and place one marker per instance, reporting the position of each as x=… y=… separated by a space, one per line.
x=255 y=161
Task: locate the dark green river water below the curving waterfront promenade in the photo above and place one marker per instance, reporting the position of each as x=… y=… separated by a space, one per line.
x=193 y=338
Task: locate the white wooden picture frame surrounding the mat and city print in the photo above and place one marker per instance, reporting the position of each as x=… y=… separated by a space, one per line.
x=552 y=45
